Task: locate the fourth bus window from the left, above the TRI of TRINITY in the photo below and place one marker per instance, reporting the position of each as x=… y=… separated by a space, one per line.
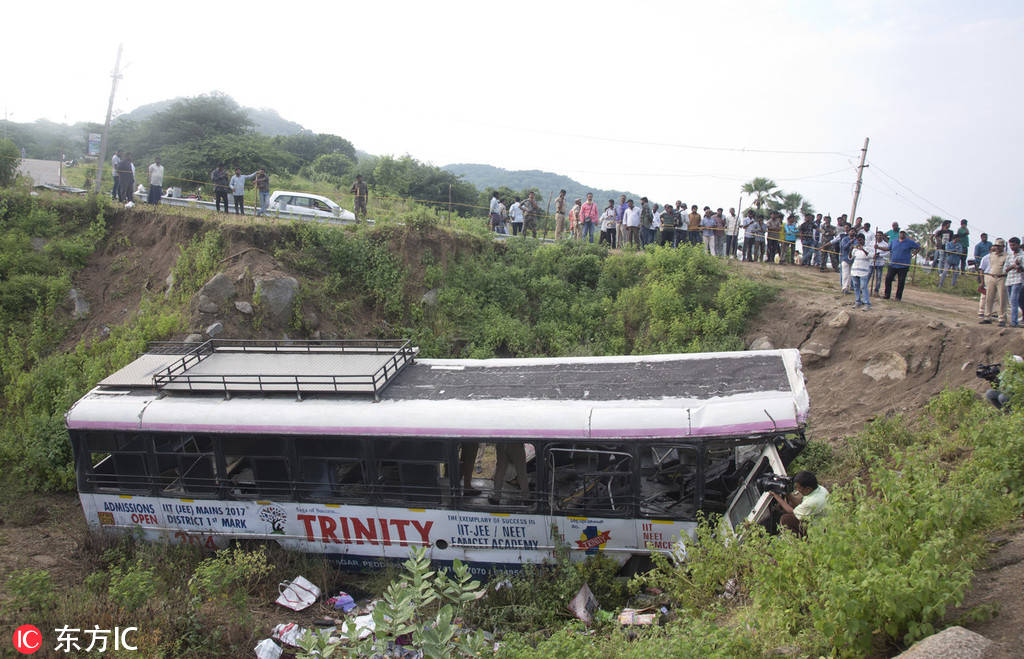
x=332 y=469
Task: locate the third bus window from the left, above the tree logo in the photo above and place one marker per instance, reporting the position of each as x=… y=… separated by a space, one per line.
x=257 y=467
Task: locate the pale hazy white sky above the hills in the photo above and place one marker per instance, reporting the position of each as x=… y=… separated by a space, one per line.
x=675 y=101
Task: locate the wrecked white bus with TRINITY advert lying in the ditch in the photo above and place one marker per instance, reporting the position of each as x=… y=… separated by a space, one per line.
x=353 y=450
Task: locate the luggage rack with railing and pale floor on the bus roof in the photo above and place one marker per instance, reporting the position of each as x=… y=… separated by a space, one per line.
x=350 y=367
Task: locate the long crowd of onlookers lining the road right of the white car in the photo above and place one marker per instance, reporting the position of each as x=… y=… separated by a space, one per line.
x=868 y=261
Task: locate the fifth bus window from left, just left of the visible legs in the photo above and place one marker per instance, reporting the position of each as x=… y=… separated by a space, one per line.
x=411 y=471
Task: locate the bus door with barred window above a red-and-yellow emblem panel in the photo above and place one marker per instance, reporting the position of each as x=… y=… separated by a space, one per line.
x=592 y=499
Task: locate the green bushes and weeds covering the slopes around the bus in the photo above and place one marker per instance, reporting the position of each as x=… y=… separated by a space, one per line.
x=883 y=570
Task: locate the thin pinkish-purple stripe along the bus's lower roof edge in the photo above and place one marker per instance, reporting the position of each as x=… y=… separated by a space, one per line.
x=783 y=425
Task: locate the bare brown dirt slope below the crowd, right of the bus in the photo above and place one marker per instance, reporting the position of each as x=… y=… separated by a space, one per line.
x=916 y=348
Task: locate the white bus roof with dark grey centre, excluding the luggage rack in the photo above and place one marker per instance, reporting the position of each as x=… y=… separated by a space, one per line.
x=689 y=396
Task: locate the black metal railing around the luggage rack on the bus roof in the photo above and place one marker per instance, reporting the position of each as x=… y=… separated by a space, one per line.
x=399 y=355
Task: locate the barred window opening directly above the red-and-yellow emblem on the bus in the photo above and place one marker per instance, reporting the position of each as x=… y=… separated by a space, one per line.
x=590 y=479
